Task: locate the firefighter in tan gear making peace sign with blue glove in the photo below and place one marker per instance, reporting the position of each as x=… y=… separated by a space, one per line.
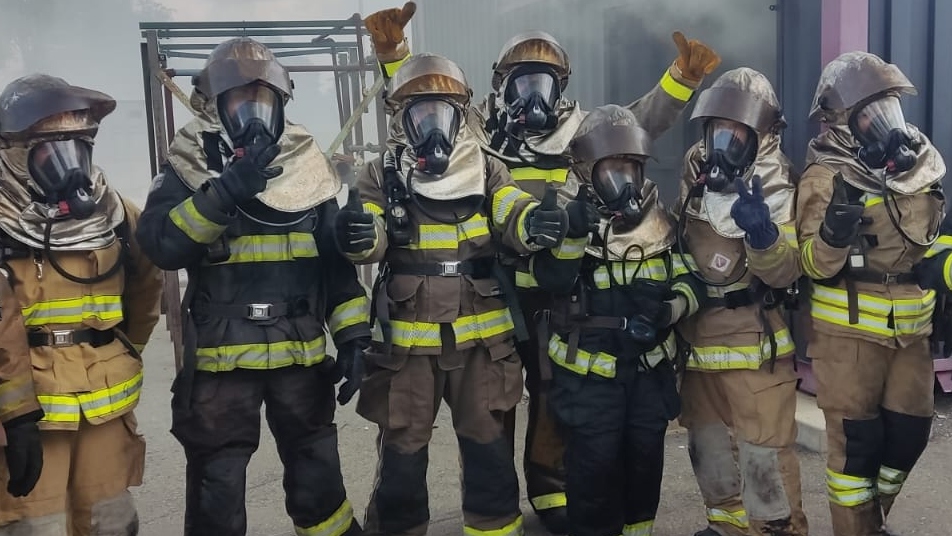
x=739 y=386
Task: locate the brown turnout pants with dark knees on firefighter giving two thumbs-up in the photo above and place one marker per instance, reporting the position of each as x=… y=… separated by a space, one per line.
x=402 y=395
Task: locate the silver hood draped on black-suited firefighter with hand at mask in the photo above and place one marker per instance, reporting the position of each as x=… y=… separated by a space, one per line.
x=308 y=179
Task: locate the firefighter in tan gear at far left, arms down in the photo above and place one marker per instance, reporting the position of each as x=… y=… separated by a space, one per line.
x=89 y=300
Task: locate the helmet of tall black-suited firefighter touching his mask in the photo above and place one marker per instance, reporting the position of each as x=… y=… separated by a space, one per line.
x=241 y=61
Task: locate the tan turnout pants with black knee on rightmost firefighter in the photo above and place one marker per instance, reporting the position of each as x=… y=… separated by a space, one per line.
x=878 y=404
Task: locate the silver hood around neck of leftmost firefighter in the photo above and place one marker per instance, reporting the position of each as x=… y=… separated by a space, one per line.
x=25 y=220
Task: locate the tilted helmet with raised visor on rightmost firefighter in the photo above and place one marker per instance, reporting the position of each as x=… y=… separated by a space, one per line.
x=853 y=79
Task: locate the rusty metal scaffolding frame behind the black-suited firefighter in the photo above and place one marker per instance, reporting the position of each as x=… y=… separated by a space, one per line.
x=343 y=40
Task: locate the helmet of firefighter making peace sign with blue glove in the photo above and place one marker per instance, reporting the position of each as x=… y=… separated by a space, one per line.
x=743 y=95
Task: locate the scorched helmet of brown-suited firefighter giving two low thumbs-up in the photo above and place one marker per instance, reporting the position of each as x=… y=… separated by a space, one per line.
x=429 y=74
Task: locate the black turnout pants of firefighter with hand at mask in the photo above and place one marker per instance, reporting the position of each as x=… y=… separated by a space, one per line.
x=221 y=429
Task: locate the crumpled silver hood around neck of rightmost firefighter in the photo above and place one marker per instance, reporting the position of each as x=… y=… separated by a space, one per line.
x=836 y=149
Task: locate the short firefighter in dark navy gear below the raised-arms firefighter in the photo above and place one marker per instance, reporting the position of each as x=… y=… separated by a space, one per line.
x=616 y=296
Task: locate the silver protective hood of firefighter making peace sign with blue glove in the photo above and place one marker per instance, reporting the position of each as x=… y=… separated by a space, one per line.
x=775 y=171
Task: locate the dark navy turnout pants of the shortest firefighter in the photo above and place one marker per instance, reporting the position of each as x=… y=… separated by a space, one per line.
x=614 y=446
